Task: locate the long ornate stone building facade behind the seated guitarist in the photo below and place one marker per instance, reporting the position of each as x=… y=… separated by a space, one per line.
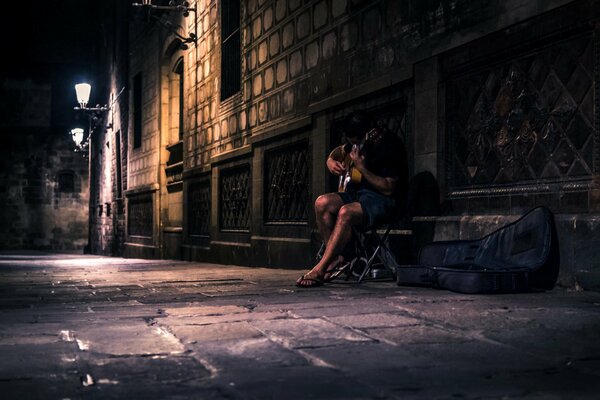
x=228 y=112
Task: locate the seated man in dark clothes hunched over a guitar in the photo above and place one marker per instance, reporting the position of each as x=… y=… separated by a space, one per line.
x=380 y=157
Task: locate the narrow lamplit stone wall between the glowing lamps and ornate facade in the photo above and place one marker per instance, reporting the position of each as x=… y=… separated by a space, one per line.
x=110 y=137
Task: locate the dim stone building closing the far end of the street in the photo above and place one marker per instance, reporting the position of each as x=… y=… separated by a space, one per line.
x=43 y=180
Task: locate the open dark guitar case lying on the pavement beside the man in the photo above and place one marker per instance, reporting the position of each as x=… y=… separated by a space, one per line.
x=519 y=257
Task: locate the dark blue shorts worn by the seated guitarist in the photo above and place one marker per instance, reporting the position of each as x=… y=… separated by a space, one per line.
x=376 y=207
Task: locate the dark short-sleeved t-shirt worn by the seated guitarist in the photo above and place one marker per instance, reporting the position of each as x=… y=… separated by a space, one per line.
x=386 y=158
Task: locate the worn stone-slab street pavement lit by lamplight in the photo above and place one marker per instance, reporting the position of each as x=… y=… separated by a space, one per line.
x=94 y=327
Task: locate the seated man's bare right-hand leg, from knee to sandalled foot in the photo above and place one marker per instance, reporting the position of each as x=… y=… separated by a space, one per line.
x=348 y=215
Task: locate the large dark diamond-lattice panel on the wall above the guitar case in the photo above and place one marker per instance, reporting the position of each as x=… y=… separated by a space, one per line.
x=528 y=120
